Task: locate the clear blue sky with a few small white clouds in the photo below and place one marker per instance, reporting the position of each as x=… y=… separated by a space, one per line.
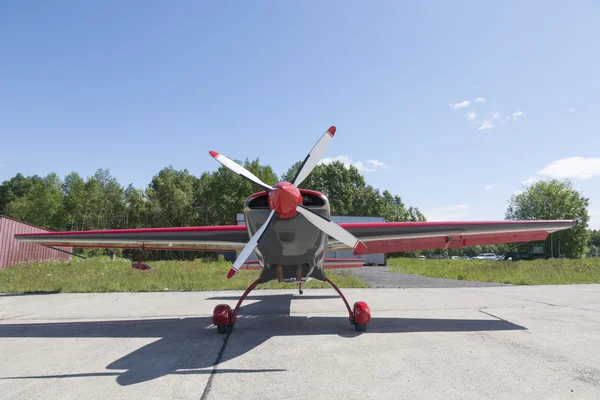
x=451 y=105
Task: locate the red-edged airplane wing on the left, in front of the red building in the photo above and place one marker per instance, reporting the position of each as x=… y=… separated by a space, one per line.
x=230 y=237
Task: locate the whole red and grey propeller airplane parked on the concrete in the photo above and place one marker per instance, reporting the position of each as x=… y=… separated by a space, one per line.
x=290 y=231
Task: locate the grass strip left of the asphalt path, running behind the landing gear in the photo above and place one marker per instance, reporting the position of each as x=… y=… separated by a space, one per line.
x=102 y=275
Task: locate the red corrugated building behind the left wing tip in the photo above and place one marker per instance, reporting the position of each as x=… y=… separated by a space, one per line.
x=13 y=251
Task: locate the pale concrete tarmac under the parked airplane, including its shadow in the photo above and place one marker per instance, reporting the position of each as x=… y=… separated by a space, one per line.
x=511 y=342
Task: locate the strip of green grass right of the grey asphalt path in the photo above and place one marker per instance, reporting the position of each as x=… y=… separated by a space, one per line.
x=537 y=272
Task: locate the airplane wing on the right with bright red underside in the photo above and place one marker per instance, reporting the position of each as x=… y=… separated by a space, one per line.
x=392 y=237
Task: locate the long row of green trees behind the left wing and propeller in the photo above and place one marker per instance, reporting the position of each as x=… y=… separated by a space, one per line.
x=178 y=198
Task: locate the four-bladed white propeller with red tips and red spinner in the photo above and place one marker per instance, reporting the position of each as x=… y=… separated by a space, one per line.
x=285 y=200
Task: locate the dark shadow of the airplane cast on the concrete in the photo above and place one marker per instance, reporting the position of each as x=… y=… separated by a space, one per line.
x=192 y=345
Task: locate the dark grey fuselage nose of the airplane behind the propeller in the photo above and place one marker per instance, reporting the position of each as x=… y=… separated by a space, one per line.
x=292 y=249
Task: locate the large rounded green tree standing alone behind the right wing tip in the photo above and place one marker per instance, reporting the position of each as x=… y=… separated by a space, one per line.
x=555 y=200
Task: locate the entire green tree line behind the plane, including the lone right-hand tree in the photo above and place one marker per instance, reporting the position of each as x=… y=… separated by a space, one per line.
x=177 y=198
